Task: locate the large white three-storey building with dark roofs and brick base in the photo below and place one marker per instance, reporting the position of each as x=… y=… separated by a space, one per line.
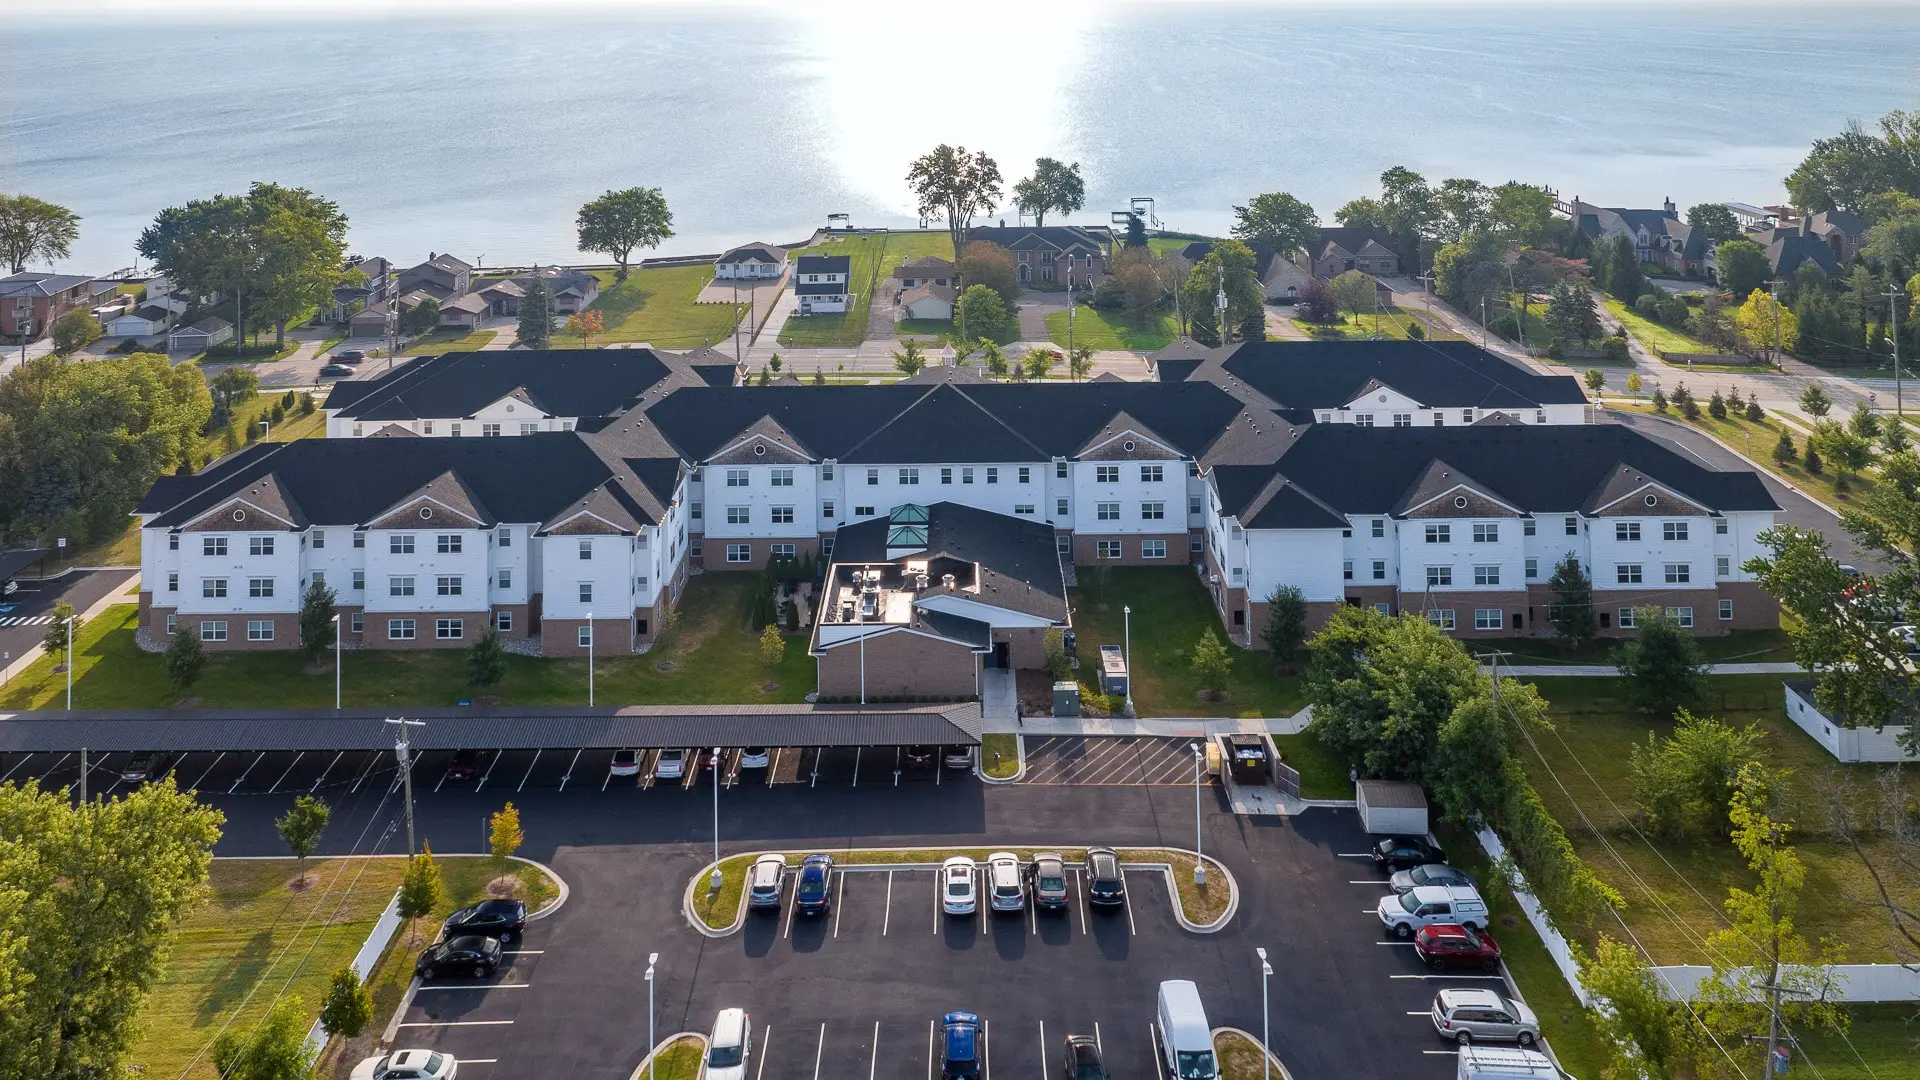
x=569 y=495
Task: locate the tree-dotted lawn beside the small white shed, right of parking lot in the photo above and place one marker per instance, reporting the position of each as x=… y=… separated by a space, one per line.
x=1591 y=756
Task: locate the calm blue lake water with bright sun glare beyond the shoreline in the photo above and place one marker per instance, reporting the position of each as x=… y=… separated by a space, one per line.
x=483 y=137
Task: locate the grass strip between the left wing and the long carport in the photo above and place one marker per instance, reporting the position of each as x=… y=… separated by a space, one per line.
x=713 y=656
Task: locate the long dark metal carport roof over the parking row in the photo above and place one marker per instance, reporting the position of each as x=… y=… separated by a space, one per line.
x=494 y=729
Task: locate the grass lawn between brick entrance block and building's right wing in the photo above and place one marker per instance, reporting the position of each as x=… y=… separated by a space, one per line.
x=1170 y=614
